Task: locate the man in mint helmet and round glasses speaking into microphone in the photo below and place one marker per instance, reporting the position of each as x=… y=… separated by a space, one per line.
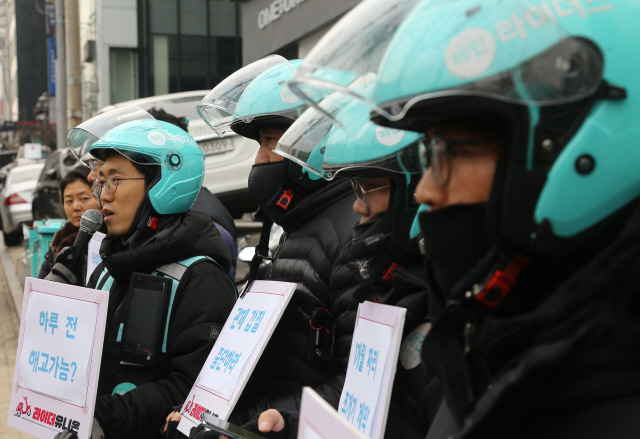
x=165 y=269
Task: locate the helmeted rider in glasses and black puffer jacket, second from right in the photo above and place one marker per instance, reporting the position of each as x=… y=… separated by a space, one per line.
x=382 y=256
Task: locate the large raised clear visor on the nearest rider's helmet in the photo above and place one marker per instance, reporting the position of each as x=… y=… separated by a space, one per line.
x=510 y=50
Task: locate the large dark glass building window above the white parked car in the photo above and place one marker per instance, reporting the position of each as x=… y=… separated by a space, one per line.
x=187 y=44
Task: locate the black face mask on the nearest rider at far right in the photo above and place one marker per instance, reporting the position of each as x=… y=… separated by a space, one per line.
x=455 y=239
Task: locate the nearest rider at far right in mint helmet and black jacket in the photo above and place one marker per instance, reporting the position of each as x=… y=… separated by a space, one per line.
x=532 y=235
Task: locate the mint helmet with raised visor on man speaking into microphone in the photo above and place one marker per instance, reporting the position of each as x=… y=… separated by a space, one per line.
x=135 y=134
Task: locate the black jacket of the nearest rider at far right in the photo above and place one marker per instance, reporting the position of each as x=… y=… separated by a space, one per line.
x=559 y=358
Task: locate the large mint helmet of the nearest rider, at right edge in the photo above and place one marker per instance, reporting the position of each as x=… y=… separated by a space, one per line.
x=563 y=78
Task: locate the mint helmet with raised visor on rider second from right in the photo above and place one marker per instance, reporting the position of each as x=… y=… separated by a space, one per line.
x=324 y=148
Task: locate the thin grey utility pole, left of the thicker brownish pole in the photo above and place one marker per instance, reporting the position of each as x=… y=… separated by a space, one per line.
x=61 y=77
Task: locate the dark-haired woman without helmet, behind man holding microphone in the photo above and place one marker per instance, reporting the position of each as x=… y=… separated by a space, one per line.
x=77 y=198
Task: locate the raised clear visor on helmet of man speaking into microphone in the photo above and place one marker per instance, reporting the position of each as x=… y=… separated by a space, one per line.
x=89 y=140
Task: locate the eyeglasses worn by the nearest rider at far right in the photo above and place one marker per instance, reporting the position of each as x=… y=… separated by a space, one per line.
x=436 y=153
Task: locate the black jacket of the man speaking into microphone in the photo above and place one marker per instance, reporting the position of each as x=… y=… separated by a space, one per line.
x=204 y=299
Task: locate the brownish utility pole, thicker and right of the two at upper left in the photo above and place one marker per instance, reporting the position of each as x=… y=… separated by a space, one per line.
x=74 y=68
